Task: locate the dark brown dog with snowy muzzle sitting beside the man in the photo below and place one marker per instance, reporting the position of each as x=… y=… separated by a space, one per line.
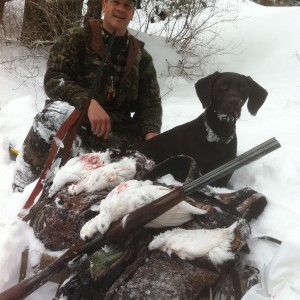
x=211 y=138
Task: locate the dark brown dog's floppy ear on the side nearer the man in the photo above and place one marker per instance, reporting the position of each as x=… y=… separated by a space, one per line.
x=204 y=89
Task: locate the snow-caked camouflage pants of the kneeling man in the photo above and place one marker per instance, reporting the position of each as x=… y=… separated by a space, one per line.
x=34 y=153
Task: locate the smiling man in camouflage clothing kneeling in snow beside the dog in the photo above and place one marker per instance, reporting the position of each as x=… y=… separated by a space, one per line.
x=125 y=108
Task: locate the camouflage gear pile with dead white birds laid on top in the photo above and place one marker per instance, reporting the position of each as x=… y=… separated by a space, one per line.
x=193 y=252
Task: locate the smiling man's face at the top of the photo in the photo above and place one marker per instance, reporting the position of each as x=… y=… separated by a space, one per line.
x=117 y=15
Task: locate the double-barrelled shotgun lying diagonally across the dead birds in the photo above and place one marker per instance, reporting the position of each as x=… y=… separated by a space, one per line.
x=136 y=219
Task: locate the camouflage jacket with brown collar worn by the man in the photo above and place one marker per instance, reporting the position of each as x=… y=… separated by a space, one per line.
x=72 y=66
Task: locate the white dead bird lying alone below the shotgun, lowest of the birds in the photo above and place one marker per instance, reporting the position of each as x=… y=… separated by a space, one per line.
x=214 y=244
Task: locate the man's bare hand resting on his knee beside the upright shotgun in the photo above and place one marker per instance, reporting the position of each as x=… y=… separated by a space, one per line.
x=100 y=121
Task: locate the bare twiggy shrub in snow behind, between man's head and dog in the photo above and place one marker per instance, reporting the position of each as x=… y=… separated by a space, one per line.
x=190 y=26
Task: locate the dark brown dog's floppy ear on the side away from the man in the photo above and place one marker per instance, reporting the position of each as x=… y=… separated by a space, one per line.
x=257 y=96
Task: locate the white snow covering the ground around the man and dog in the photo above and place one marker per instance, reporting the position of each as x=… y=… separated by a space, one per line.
x=267 y=49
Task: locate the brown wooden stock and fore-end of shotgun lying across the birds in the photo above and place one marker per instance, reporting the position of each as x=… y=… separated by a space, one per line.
x=116 y=231
